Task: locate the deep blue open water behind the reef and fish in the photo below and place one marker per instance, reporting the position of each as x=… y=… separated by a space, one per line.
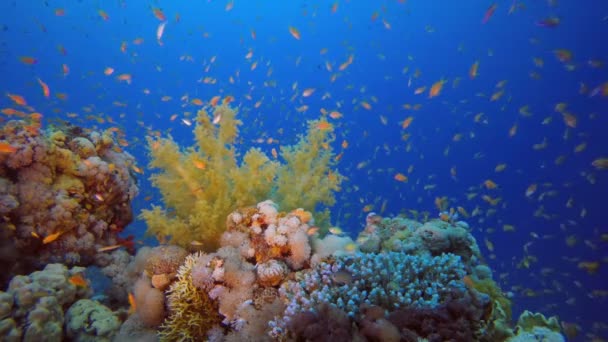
x=437 y=39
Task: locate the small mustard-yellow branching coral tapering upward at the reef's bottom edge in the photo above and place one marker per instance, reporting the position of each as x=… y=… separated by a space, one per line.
x=191 y=312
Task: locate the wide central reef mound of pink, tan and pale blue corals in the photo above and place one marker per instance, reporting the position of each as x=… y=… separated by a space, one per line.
x=273 y=278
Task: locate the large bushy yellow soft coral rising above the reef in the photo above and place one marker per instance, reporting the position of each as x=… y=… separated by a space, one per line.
x=202 y=184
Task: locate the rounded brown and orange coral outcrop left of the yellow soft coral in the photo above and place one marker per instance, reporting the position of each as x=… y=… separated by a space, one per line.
x=65 y=192
